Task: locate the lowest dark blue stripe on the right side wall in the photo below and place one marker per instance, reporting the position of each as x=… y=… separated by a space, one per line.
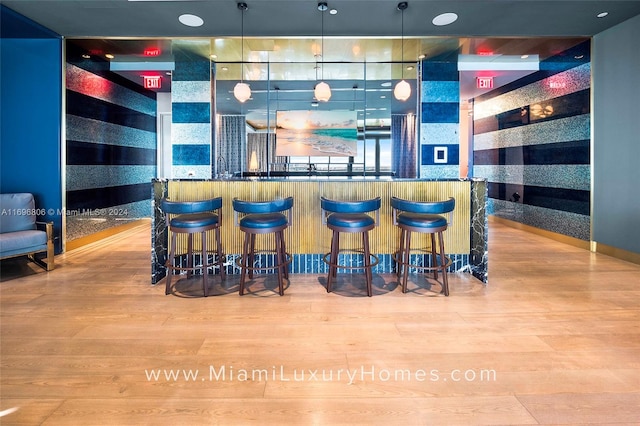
x=568 y=200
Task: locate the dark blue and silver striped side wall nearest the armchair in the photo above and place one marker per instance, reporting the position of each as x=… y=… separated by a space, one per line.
x=110 y=147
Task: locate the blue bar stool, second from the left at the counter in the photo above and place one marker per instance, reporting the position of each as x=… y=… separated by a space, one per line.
x=261 y=218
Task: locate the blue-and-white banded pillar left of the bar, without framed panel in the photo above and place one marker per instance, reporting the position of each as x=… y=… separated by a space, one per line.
x=191 y=111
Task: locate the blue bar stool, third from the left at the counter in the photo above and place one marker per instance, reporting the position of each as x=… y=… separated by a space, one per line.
x=350 y=217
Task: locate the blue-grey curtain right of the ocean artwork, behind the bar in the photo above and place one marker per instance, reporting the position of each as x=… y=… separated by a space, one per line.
x=403 y=145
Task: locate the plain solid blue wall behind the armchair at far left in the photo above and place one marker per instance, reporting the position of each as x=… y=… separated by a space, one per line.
x=30 y=113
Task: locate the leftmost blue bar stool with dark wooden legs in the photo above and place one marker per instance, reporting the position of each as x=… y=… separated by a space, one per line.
x=192 y=217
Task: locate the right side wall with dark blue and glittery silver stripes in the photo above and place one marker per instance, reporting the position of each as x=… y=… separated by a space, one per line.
x=532 y=143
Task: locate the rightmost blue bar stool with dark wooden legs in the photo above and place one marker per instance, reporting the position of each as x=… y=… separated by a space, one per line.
x=424 y=217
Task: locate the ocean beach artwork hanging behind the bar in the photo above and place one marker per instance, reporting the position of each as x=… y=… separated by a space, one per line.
x=316 y=133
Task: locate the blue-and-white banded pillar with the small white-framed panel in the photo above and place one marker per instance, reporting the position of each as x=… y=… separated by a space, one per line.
x=440 y=121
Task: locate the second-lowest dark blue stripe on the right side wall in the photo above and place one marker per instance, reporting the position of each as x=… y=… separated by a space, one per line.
x=573 y=152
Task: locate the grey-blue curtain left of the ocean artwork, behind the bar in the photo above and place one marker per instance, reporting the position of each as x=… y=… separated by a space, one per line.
x=231 y=145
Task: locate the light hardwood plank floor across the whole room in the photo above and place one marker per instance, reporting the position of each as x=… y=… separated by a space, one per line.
x=554 y=338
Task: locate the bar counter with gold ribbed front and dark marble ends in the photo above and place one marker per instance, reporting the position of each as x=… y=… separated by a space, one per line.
x=308 y=239
